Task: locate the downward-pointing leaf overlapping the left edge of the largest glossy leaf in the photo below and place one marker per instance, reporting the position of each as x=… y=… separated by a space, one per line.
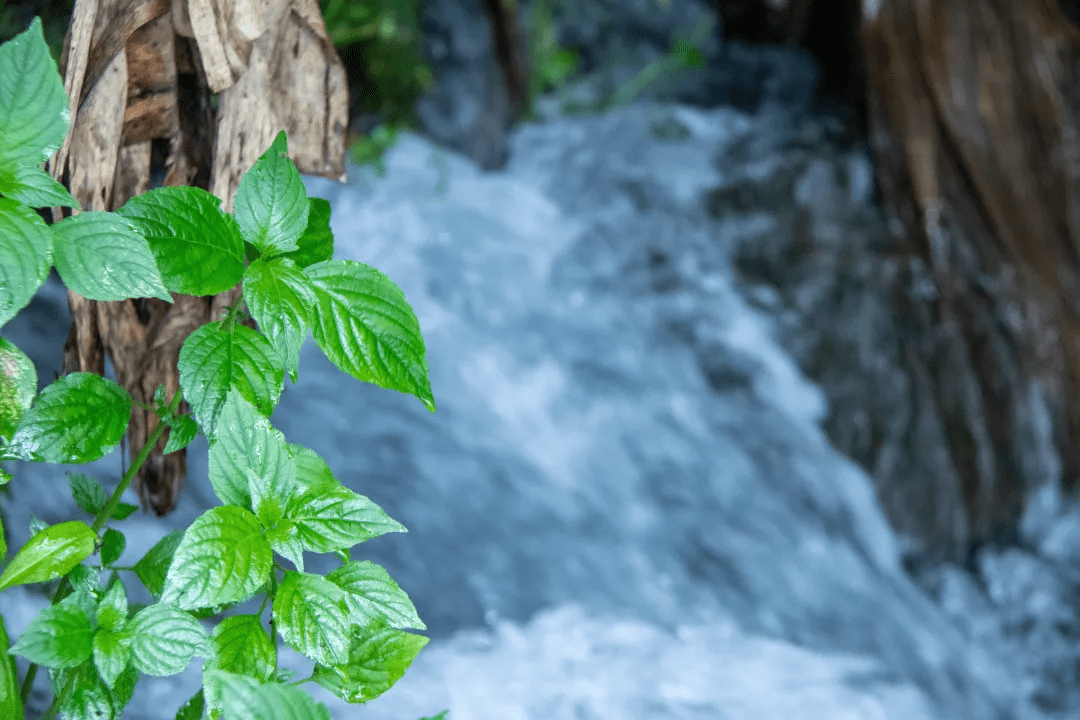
x=279 y=297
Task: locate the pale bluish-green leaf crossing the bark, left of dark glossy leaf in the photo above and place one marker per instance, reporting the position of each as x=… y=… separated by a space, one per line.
x=102 y=256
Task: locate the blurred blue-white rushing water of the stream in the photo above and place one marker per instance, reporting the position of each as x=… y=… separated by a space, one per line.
x=625 y=507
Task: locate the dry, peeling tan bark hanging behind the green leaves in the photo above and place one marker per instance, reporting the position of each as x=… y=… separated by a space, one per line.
x=141 y=75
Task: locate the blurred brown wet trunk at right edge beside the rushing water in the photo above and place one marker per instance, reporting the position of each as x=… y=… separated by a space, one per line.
x=976 y=124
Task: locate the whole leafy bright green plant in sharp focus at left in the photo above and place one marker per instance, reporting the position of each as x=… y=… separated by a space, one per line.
x=280 y=500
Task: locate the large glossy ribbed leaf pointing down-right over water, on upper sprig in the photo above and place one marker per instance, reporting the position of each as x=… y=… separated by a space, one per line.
x=366 y=327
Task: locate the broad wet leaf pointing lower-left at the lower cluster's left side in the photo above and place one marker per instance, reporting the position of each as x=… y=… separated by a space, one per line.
x=223 y=559
